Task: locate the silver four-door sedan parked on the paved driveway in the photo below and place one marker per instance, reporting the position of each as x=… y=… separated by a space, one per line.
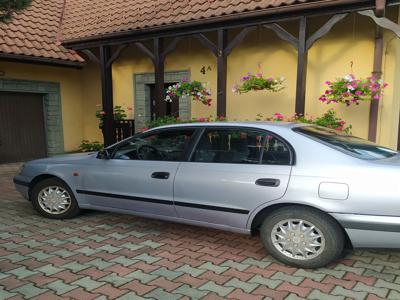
x=309 y=191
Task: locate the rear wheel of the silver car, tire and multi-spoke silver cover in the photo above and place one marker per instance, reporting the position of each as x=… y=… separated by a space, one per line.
x=289 y=236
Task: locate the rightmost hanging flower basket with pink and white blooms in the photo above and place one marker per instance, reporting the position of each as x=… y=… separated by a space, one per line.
x=350 y=90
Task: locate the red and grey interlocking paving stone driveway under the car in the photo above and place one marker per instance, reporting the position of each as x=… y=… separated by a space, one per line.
x=108 y=256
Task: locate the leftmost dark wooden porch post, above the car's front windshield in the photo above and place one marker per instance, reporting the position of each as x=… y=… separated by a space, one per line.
x=107 y=96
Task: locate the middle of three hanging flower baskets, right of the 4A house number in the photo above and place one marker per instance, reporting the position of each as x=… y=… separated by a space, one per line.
x=257 y=82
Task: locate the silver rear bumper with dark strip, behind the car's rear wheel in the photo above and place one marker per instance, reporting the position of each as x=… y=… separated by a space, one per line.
x=369 y=231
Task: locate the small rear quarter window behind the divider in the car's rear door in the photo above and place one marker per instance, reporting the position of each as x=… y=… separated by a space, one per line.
x=275 y=151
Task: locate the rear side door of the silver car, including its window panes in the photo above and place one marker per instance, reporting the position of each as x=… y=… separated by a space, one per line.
x=232 y=171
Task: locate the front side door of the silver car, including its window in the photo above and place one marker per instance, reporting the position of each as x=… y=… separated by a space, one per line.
x=140 y=174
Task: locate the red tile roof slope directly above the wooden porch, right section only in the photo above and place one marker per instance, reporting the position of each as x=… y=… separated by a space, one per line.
x=88 y=18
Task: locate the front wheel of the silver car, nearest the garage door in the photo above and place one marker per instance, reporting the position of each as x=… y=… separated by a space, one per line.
x=53 y=199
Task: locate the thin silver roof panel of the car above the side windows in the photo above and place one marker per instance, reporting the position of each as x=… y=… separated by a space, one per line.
x=257 y=124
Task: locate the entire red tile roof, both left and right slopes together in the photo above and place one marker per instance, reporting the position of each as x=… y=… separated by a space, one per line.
x=36 y=31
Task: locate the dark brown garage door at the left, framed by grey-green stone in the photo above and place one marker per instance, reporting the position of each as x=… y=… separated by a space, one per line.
x=22 y=134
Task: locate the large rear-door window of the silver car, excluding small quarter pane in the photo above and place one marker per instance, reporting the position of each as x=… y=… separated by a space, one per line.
x=233 y=146
